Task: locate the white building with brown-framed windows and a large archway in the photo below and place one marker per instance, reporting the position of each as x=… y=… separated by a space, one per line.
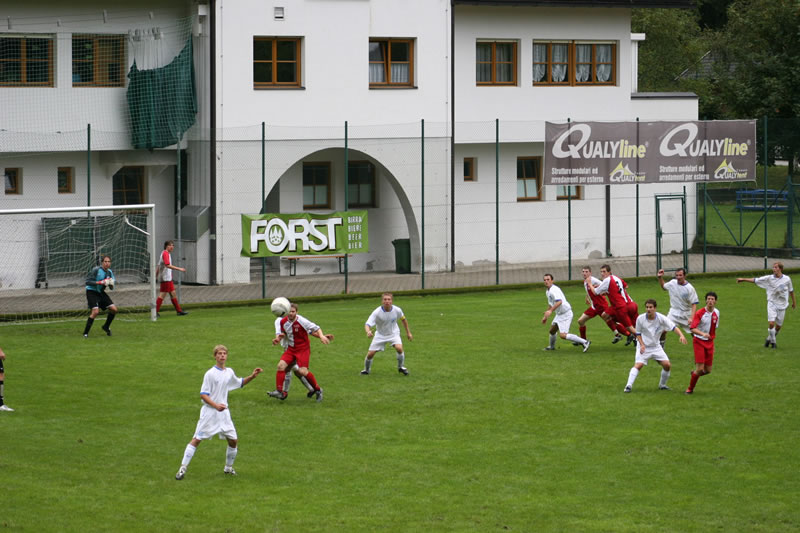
x=306 y=67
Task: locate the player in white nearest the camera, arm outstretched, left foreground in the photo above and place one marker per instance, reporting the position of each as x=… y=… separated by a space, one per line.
x=215 y=418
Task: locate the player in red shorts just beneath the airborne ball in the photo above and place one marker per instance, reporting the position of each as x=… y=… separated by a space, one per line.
x=295 y=329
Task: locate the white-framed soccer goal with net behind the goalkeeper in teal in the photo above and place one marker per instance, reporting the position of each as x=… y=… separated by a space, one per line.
x=48 y=252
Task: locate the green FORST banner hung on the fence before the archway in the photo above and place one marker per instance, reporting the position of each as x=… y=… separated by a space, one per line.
x=343 y=232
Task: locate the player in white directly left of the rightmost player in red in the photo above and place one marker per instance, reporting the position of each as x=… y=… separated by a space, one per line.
x=649 y=327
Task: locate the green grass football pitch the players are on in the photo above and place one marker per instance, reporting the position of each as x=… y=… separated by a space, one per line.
x=488 y=433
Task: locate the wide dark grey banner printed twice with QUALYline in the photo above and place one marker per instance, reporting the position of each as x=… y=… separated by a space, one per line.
x=612 y=153
